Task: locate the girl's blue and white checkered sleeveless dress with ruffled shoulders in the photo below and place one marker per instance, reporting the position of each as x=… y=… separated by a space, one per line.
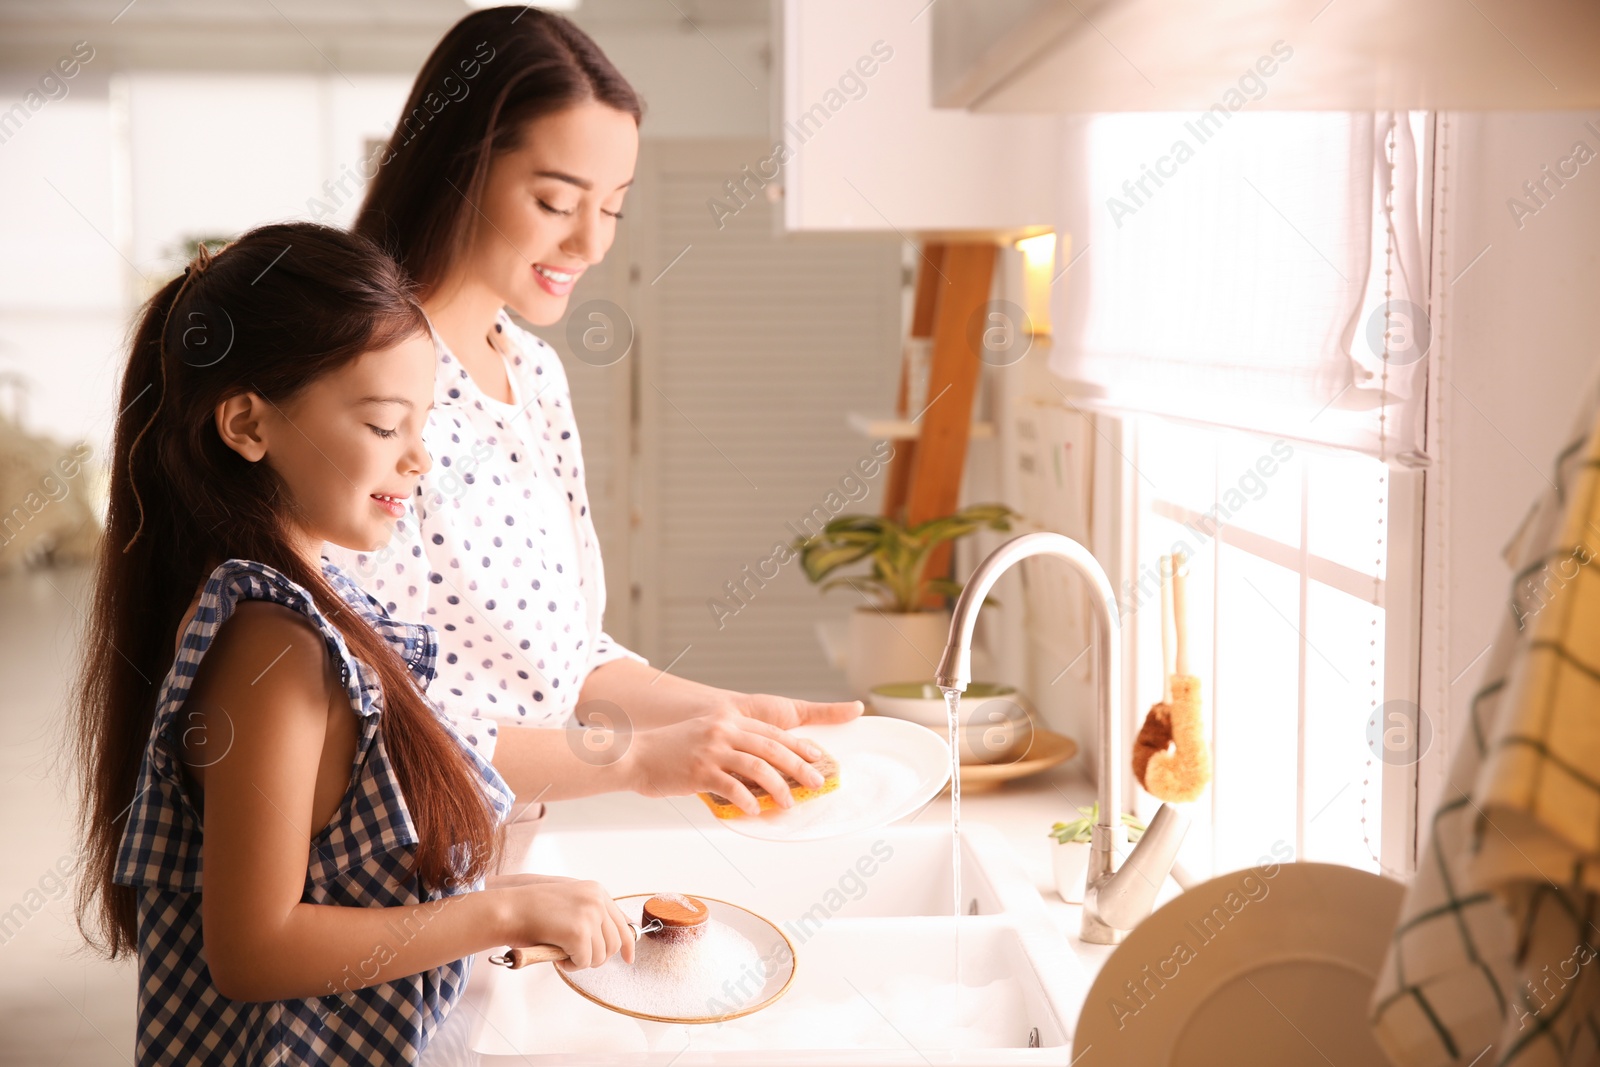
x=361 y=860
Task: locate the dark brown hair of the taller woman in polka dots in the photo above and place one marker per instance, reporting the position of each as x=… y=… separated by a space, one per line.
x=490 y=76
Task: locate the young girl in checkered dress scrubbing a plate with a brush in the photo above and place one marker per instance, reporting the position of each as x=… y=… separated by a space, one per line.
x=276 y=818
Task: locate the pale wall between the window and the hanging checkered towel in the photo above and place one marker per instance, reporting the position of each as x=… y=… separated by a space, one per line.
x=1521 y=340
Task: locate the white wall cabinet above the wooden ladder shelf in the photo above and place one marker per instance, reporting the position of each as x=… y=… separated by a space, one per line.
x=860 y=146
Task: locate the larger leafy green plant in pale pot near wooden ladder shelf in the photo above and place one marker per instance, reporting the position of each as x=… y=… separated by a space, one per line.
x=895 y=636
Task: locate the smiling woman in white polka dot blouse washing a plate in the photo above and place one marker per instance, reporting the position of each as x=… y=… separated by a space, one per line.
x=503 y=183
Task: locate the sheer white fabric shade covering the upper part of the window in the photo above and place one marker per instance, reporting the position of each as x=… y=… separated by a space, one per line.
x=1260 y=271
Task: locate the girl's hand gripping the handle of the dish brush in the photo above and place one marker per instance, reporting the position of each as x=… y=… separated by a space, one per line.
x=578 y=917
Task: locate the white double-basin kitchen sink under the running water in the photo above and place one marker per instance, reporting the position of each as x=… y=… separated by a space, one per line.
x=874 y=946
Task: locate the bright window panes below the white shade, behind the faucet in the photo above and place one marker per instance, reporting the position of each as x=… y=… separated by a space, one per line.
x=1290 y=633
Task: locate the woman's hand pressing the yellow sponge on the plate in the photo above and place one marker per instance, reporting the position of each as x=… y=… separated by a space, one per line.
x=703 y=754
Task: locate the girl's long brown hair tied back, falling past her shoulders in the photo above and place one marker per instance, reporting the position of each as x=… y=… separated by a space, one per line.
x=271 y=314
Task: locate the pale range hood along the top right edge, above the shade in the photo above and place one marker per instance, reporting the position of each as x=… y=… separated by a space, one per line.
x=1030 y=57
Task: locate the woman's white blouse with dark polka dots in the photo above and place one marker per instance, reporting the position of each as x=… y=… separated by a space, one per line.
x=498 y=551
